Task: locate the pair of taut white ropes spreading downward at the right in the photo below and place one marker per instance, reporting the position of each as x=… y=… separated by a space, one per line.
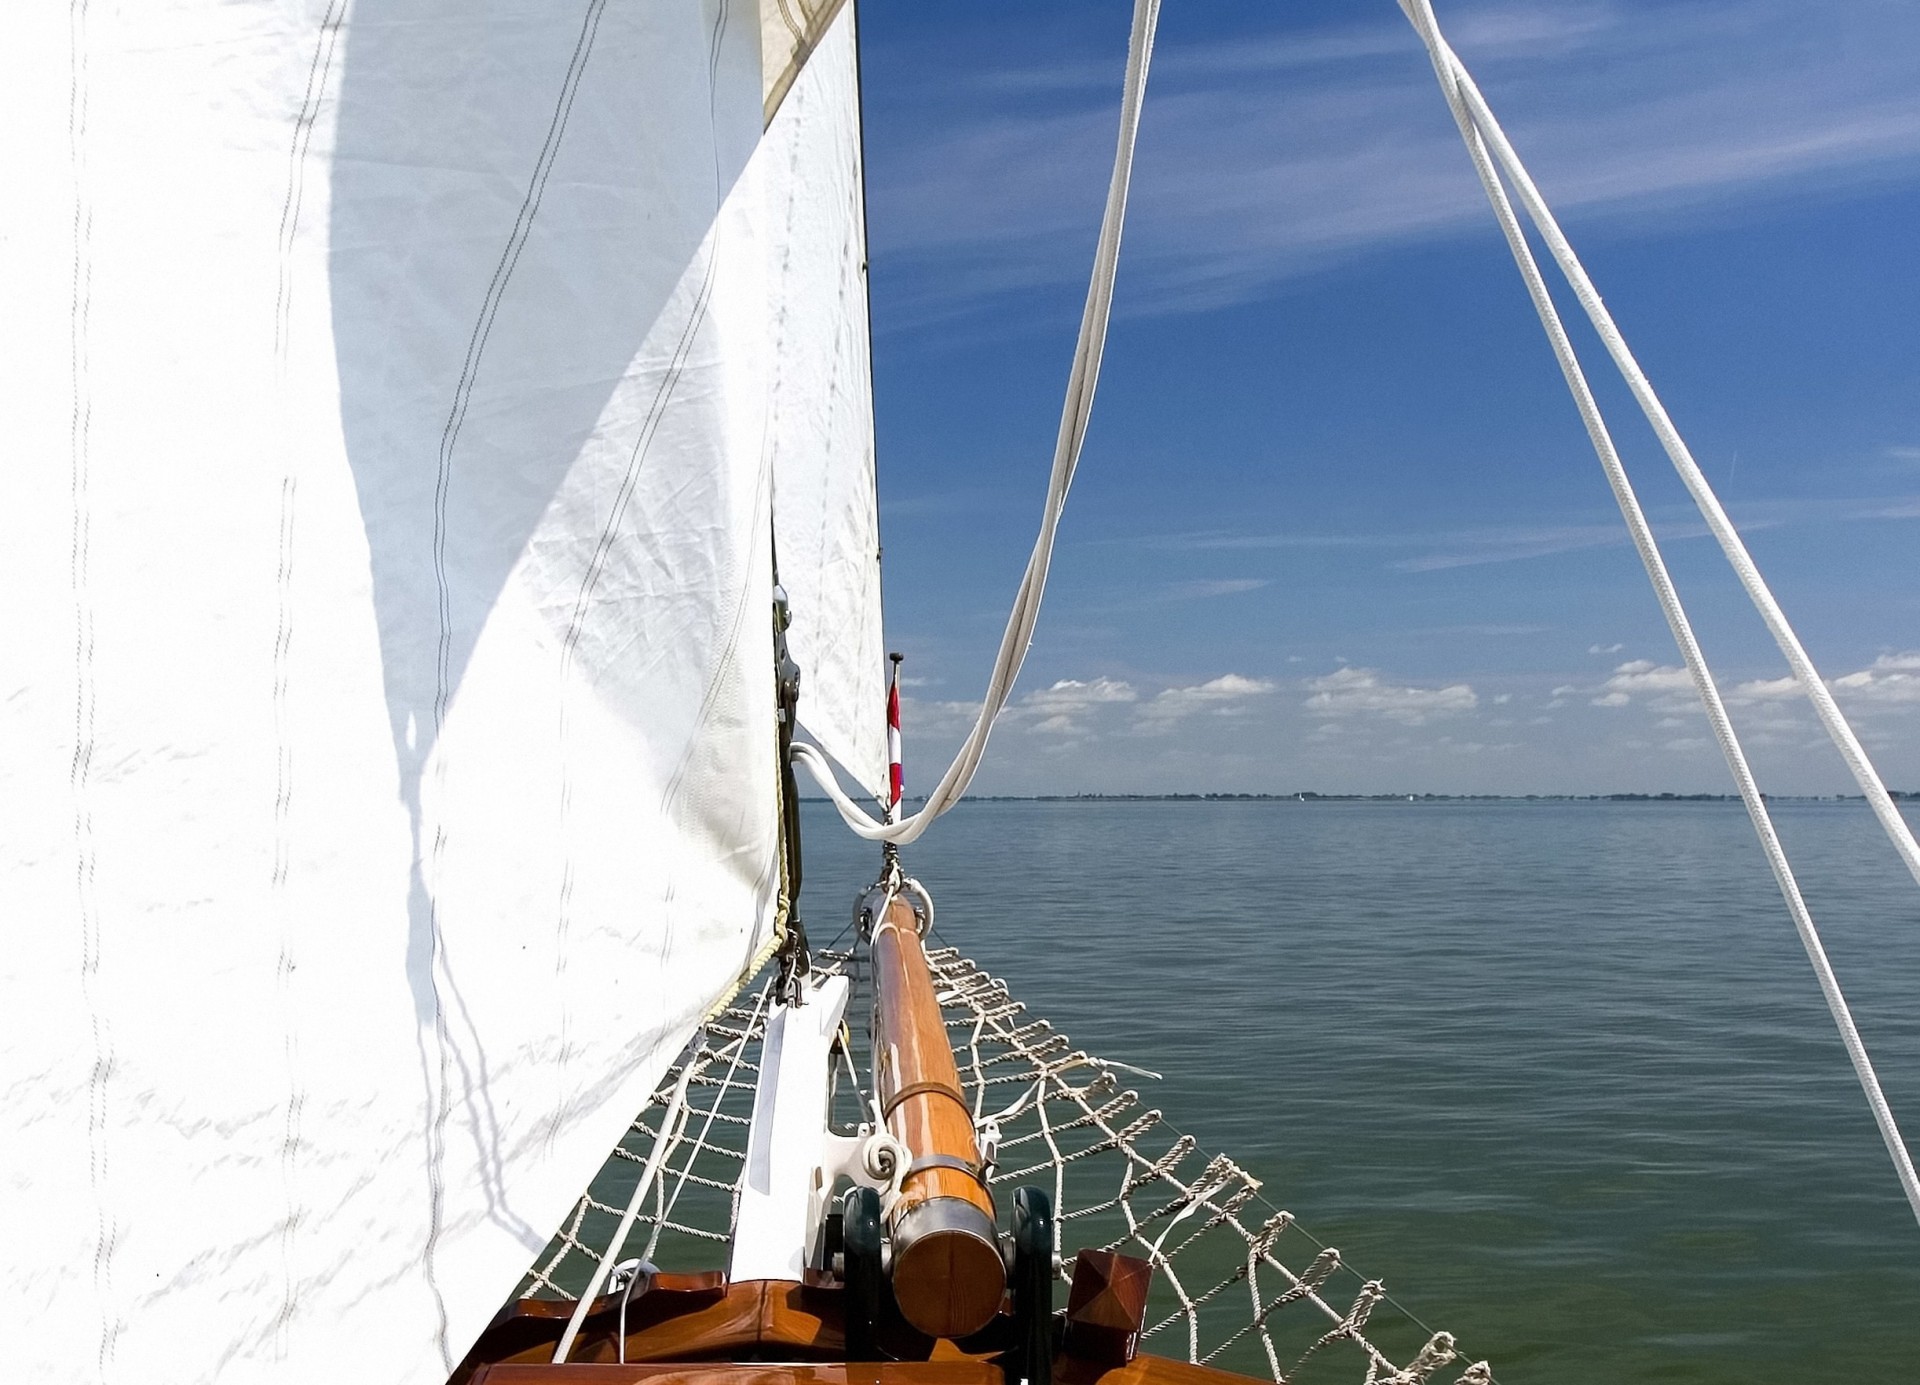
x=1477 y=130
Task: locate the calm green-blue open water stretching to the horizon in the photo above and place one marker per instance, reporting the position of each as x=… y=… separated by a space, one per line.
x=1558 y=1073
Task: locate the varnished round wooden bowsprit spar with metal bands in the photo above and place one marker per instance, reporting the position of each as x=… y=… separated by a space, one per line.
x=948 y=1271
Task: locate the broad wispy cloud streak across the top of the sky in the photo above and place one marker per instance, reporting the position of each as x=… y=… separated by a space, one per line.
x=1272 y=157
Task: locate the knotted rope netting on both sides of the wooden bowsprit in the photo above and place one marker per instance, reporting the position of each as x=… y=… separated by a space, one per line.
x=1237 y=1282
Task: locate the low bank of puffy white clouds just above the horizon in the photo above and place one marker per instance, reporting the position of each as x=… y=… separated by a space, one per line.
x=1635 y=727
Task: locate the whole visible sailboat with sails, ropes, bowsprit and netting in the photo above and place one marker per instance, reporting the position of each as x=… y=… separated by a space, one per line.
x=450 y=406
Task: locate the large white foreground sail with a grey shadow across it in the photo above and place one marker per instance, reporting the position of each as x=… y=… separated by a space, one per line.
x=387 y=773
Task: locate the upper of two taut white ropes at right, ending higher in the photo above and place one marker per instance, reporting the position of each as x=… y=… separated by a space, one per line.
x=1664 y=427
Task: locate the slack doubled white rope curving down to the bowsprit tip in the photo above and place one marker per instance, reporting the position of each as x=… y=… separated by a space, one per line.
x=1074 y=418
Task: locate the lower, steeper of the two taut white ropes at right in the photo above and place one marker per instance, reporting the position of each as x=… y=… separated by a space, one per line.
x=1456 y=87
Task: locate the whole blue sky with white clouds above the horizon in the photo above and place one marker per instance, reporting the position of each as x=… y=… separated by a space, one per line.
x=1337 y=525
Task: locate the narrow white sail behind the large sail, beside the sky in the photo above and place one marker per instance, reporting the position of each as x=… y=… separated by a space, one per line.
x=823 y=410
